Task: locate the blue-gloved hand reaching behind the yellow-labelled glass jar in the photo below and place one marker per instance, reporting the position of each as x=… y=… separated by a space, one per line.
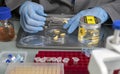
x=73 y=23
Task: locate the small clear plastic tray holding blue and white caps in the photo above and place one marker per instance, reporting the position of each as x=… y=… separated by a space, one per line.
x=7 y=57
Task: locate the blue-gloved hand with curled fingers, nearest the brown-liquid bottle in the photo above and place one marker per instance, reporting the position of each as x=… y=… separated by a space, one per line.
x=32 y=17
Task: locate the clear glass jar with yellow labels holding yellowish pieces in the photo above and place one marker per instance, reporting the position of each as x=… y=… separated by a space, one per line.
x=89 y=30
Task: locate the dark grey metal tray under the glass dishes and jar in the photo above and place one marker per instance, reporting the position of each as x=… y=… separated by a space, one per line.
x=71 y=40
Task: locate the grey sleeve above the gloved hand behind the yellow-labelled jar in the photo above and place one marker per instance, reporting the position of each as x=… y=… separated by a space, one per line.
x=113 y=9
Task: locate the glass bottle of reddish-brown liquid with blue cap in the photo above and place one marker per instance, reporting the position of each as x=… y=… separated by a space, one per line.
x=6 y=28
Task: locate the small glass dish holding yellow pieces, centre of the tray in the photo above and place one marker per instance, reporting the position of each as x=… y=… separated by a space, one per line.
x=56 y=35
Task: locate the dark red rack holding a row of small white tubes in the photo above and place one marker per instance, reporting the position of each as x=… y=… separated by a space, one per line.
x=71 y=67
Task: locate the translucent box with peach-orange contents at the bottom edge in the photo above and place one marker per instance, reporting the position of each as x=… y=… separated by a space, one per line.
x=35 y=68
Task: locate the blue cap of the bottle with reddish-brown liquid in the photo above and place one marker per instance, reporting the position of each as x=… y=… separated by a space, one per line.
x=5 y=13
